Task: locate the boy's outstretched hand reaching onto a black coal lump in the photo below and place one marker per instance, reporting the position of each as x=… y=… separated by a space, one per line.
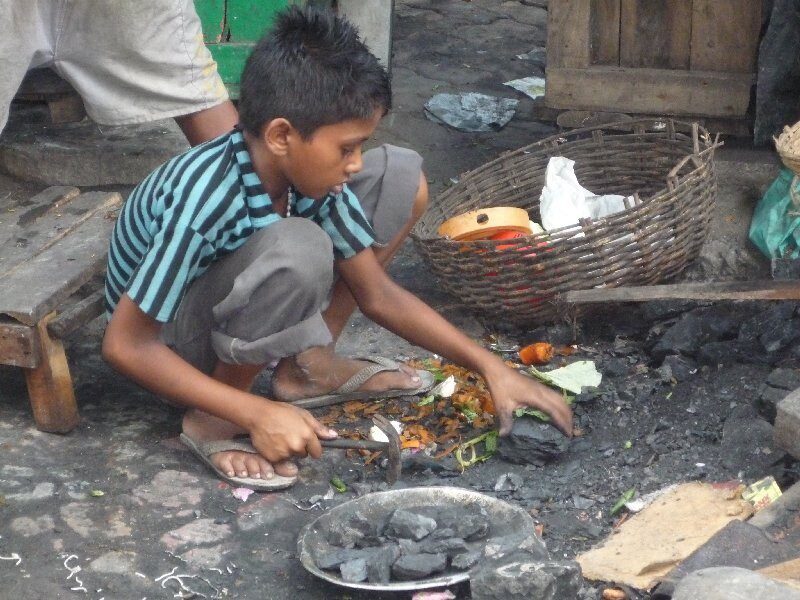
x=511 y=390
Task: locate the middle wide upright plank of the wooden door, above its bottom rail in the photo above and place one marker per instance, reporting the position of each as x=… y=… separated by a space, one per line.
x=655 y=34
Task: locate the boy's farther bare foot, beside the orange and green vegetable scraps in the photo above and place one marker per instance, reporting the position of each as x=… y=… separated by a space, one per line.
x=320 y=371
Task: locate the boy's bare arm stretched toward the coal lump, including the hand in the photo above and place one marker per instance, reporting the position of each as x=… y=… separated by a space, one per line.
x=389 y=305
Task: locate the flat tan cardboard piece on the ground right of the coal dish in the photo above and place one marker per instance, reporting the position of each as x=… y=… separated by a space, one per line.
x=648 y=545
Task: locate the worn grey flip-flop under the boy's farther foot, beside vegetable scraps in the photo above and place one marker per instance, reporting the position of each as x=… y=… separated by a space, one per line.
x=349 y=390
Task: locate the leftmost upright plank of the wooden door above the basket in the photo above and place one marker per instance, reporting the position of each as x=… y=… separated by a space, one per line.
x=568 y=36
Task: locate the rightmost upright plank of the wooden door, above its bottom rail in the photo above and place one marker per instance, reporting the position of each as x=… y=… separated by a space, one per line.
x=725 y=35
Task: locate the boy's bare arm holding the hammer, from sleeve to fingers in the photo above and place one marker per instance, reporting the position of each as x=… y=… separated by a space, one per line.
x=278 y=430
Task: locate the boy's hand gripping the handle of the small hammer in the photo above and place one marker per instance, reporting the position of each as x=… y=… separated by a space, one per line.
x=284 y=431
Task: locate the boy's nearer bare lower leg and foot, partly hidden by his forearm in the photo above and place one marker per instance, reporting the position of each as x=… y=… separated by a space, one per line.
x=202 y=426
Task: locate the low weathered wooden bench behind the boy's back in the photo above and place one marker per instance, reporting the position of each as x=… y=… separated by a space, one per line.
x=50 y=247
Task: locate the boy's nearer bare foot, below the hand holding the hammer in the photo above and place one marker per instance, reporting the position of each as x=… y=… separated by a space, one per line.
x=203 y=427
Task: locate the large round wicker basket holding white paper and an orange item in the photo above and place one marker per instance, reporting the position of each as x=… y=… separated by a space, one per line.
x=516 y=282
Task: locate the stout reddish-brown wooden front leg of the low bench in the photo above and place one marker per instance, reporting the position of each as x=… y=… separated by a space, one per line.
x=50 y=386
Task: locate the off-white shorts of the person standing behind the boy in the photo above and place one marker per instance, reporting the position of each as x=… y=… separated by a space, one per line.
x=130 y=60
